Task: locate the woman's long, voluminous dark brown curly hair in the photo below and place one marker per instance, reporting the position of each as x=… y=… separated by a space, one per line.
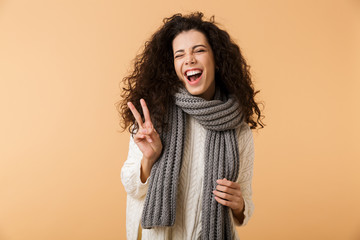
x=154 y=78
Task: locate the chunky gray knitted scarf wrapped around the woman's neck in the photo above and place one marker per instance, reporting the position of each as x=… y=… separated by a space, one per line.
x=220 y=117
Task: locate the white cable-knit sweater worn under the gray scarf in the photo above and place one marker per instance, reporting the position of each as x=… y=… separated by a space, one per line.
x=189 y=197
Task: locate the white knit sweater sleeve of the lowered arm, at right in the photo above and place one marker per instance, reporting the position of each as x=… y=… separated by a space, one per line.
x=246 y=153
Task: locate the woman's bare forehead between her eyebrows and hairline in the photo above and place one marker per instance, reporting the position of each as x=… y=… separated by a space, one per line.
x=188 y=39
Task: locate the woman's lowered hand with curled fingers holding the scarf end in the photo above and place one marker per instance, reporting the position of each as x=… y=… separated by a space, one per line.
x=228 y=193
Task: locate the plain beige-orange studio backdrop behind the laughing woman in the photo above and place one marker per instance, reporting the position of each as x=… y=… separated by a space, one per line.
x=61 y=150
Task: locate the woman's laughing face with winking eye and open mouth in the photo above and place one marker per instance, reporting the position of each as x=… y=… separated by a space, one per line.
x=194 y=63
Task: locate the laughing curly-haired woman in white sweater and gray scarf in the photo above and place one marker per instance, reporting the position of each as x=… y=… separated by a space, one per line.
x=189 y=104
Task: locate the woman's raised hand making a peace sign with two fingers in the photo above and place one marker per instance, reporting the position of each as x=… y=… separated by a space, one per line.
x=146 y=138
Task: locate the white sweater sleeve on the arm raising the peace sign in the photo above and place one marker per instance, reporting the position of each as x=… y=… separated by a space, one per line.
x=130 y=172
